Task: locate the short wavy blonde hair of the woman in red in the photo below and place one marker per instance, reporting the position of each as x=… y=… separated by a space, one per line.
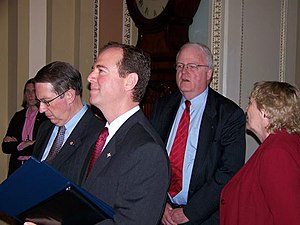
x=280 y=103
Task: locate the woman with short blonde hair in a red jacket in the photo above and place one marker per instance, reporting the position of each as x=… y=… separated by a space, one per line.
x=266 y=191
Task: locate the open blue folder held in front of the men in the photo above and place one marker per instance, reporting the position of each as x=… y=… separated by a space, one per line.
x=36 y=190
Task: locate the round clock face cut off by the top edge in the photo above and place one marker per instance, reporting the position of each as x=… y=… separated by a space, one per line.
x=151 y=8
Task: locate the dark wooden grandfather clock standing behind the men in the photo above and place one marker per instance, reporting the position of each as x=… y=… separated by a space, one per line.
x=163 y=27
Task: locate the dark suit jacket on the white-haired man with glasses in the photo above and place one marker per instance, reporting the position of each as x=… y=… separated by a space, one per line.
x=220 y=151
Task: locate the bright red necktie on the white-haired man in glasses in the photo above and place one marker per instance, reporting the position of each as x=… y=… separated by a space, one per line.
x=178 y=150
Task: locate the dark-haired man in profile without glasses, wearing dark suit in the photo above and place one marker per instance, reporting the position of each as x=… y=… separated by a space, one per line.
x=132 y=172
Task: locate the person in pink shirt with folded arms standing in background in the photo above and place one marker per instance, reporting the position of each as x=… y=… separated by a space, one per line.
x=21 y=133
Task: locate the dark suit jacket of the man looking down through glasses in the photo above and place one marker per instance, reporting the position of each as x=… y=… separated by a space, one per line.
x=69 y=161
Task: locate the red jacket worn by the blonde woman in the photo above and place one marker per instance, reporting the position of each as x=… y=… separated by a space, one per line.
x=266 y=191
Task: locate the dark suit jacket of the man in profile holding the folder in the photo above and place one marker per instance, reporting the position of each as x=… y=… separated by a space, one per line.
x=132 y=174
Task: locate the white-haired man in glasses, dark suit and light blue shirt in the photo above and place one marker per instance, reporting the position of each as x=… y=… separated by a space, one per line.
x=215 y=146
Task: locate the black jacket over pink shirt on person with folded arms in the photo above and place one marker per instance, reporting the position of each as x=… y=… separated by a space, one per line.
x=15 y=129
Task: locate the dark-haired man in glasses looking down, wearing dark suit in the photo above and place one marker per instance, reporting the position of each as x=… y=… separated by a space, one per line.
x=65 y=140
